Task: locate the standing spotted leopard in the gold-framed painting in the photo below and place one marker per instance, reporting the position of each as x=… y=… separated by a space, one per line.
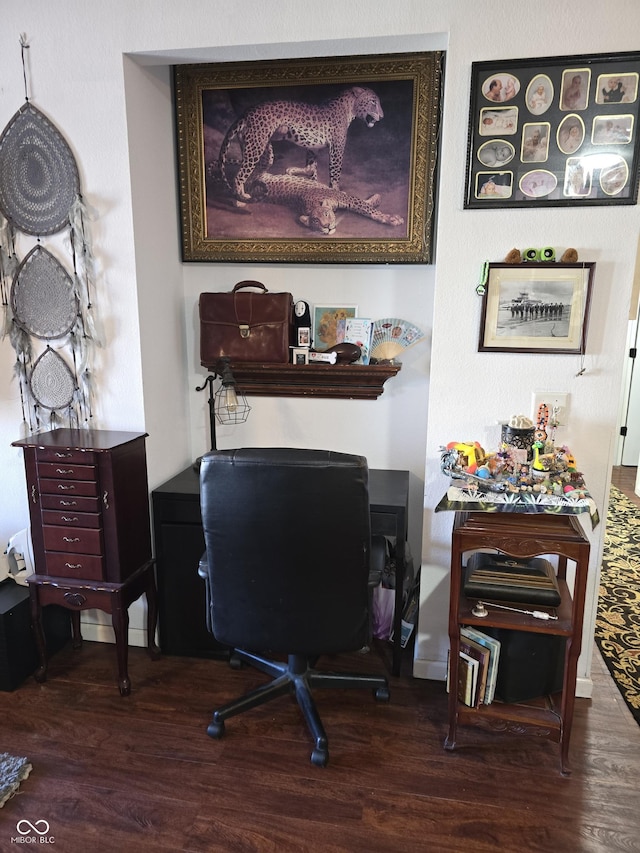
x=308 y=125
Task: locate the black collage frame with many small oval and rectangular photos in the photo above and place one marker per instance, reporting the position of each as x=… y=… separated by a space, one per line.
x=552 y=132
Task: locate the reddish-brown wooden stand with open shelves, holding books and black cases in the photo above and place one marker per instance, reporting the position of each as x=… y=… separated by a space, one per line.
x=521 y=535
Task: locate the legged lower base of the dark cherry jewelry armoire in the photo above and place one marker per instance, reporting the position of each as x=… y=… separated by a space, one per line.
x=113 y=598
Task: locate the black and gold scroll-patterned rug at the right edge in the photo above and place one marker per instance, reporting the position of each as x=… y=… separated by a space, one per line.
x=618 y=617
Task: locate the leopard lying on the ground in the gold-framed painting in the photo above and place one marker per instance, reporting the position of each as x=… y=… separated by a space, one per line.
x=315 y=203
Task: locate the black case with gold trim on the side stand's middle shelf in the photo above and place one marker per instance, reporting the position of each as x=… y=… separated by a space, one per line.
x=498 y=577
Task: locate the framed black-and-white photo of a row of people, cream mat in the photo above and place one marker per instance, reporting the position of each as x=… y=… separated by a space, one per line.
x=536 y=308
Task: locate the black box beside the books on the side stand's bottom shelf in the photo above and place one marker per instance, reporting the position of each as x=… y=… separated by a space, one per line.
x=530 y=665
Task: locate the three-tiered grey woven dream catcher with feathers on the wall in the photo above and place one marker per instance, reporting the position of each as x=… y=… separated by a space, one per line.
x=43 y=300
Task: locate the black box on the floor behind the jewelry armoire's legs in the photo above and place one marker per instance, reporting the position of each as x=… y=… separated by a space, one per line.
x=18 y=651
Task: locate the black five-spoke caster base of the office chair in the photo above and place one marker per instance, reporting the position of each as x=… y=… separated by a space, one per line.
x=295 y=676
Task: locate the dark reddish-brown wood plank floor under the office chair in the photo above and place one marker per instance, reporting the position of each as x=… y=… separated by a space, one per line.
x=140 y=773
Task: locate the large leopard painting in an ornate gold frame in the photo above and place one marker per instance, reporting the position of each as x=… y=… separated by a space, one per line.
x=323 y=160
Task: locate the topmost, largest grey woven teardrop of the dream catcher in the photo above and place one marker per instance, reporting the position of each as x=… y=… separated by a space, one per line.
x=39 y=179
